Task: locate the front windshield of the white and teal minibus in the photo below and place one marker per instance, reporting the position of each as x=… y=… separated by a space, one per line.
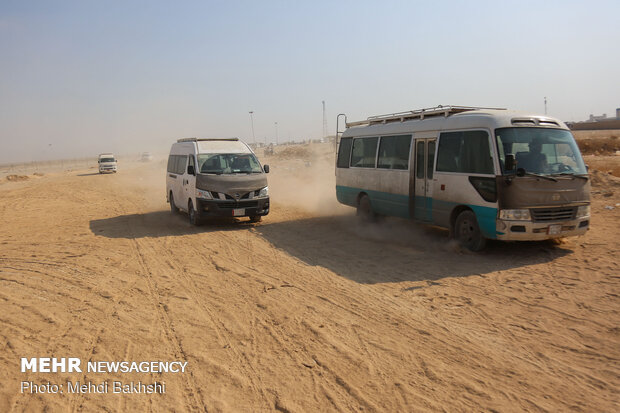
x=540 y=150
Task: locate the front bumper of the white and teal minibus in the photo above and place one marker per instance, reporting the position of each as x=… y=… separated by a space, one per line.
x=538 y=231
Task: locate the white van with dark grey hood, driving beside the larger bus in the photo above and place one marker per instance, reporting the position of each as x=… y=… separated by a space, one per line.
x=216 y=178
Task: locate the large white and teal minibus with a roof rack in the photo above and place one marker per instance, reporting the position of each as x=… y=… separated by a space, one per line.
x=482 y=173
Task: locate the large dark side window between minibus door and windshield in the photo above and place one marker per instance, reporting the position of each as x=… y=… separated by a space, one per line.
x=465 y=152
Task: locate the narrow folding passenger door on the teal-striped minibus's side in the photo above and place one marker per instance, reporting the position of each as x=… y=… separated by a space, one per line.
x=423 y=192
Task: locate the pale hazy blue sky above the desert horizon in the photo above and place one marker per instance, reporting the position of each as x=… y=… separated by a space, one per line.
x=82 y=77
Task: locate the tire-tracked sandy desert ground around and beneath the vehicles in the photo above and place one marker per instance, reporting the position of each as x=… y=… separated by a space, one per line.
x=306 y=311
